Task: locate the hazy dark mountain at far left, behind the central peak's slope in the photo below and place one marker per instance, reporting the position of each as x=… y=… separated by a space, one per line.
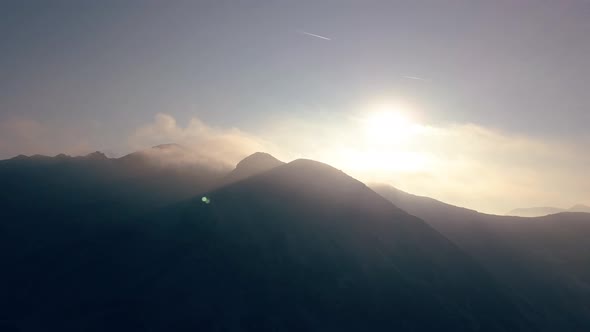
x=41 y=192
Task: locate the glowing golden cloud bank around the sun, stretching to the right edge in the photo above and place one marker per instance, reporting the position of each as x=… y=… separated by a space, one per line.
x=463 y=164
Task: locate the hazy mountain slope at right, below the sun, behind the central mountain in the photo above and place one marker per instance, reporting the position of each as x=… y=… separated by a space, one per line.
x=545 y=260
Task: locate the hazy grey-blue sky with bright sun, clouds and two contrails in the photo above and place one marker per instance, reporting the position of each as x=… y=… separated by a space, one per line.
x=482 y=104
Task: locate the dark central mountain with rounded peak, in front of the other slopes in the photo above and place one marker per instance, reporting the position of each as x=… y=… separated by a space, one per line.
x=301 y=246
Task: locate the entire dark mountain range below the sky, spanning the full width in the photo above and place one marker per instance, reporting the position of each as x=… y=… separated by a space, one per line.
x=160 y=240
